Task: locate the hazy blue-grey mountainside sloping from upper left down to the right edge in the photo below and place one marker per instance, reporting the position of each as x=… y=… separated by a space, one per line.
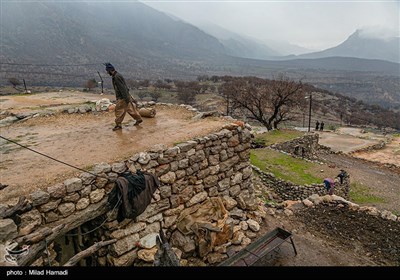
x=65 y=43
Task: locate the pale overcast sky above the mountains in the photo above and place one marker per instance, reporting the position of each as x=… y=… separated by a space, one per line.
x=312 y=24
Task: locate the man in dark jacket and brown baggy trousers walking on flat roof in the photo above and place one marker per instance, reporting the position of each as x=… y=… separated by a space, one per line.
x=125 y=102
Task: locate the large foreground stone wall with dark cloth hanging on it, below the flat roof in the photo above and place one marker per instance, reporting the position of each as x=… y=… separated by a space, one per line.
x=190 y=173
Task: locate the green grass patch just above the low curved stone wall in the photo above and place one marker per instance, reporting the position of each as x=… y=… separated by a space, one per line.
x=286 y=167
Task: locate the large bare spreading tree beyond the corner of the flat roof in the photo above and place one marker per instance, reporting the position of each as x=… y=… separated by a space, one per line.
x=270 y=102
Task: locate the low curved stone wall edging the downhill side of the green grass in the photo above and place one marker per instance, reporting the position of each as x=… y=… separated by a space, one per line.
x=290 y=191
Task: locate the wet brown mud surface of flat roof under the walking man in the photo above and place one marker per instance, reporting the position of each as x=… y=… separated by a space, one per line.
x=84 y=140
